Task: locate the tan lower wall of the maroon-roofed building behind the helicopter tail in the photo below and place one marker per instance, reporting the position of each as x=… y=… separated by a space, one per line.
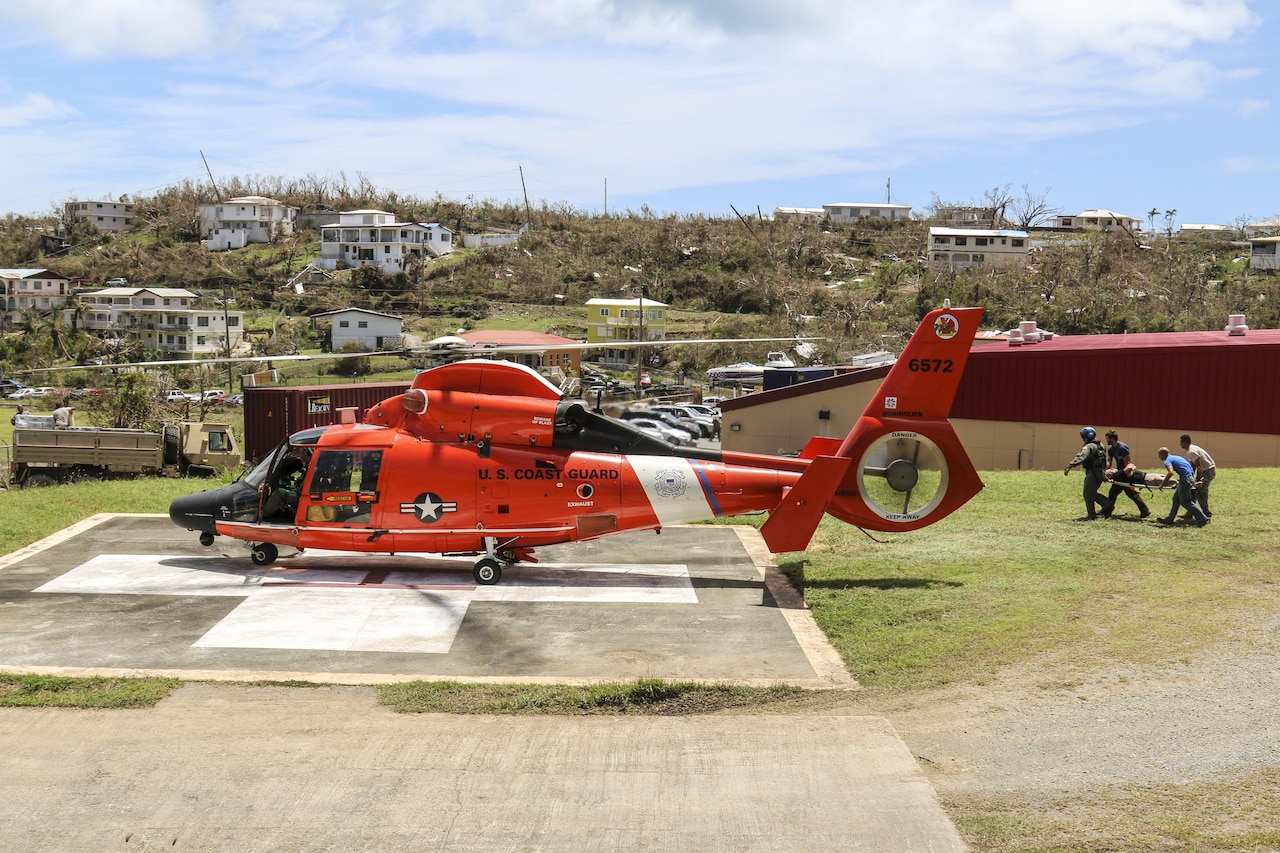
x=785 y=426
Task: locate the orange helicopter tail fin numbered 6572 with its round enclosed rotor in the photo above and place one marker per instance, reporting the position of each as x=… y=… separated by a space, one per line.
x=902 y=467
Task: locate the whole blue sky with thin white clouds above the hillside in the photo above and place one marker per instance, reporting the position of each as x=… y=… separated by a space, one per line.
x=680 y=106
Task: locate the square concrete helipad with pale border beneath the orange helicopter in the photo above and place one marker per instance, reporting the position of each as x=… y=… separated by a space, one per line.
x=134 y=594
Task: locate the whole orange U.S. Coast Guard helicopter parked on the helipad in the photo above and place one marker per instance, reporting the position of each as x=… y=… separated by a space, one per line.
x=488 y=459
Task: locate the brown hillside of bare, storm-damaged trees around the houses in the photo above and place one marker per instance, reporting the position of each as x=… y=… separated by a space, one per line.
x=862 y=288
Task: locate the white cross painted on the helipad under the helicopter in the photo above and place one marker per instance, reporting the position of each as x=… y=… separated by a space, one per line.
x=326 y=601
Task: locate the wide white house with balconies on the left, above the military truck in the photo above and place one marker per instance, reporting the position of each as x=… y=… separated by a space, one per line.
x=164 y=318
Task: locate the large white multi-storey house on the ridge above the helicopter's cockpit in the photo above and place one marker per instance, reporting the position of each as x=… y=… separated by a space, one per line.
x=374 y=239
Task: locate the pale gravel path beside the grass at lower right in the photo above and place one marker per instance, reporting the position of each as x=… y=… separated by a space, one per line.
x=1052 y=729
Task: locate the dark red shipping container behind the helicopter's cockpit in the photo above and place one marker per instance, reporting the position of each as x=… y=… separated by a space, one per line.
x=275 y=414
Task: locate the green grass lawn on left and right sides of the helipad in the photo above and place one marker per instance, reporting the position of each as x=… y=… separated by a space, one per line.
x=1009 y=578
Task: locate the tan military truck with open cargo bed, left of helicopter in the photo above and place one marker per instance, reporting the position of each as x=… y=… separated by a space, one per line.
x=44 y=457
